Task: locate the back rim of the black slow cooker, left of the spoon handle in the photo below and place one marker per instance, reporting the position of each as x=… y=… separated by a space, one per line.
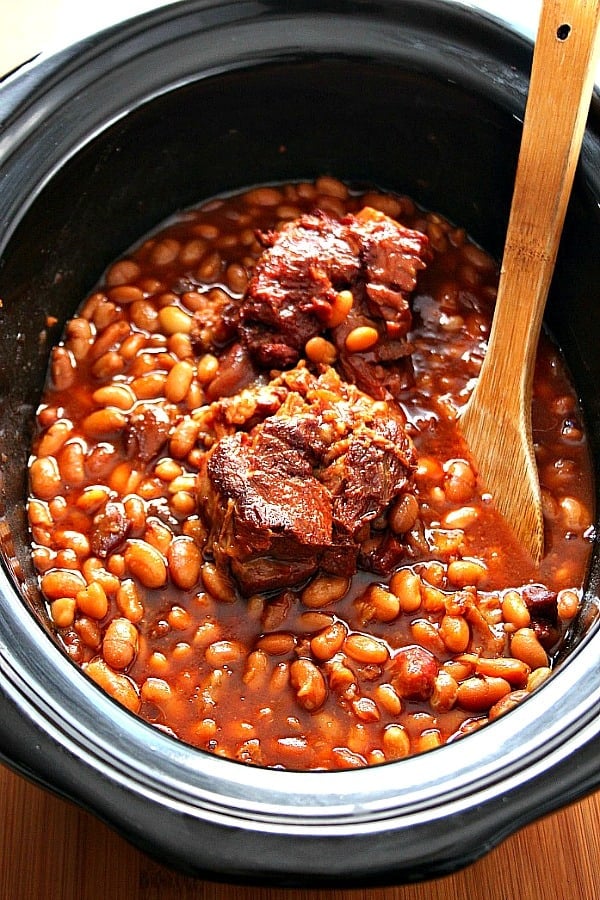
x=30 y=94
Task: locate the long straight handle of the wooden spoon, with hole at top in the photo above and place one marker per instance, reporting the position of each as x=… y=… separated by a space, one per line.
x=562 y=80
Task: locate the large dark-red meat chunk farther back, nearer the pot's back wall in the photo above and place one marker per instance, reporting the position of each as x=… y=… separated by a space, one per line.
x=292 y=294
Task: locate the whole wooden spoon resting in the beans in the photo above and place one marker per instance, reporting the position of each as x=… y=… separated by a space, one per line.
x=496 y=421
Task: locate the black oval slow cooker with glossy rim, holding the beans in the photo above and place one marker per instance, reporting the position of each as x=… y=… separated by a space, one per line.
x=101 y=142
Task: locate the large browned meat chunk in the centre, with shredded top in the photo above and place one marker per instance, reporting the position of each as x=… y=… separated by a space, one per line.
x=303 y=488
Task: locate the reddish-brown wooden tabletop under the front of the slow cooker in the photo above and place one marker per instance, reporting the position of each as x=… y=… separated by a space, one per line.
x=52 y=850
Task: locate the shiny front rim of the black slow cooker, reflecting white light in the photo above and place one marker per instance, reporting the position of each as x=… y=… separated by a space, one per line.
x=26 y=685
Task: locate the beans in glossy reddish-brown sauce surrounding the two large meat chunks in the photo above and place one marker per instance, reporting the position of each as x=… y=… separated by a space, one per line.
x=336 y=672
